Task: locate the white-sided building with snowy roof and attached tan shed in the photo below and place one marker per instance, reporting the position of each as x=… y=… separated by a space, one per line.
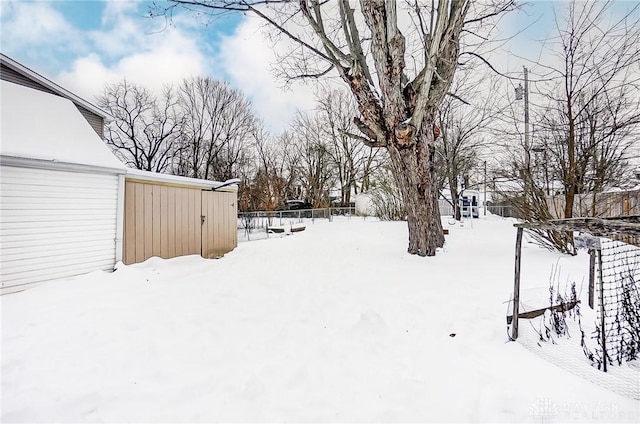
x=68 y=206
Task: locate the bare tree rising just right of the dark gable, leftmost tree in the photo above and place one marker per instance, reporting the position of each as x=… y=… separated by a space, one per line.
x=145 y=128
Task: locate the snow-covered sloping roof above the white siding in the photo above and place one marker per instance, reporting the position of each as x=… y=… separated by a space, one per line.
x=40 y=126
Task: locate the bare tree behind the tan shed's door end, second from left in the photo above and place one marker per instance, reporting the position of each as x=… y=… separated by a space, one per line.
x=218 y=125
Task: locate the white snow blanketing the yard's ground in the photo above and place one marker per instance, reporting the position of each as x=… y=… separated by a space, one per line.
x=332 y=324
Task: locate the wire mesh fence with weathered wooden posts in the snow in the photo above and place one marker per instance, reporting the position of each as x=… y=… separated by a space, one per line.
x=607 y=331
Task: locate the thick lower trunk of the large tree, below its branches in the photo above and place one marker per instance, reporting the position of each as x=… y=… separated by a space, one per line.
x=414 y=171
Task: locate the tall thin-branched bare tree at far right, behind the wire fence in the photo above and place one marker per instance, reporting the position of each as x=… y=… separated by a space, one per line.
x=595 y=105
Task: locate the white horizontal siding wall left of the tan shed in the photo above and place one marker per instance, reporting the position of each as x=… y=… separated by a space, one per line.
x=55 y=224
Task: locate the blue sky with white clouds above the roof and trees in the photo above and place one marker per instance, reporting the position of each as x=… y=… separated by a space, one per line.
x=82 y=45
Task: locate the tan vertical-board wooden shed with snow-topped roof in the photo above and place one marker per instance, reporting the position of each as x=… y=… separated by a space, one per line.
x=169 y=216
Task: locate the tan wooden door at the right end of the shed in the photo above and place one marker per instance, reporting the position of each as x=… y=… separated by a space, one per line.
x=219 y=223
